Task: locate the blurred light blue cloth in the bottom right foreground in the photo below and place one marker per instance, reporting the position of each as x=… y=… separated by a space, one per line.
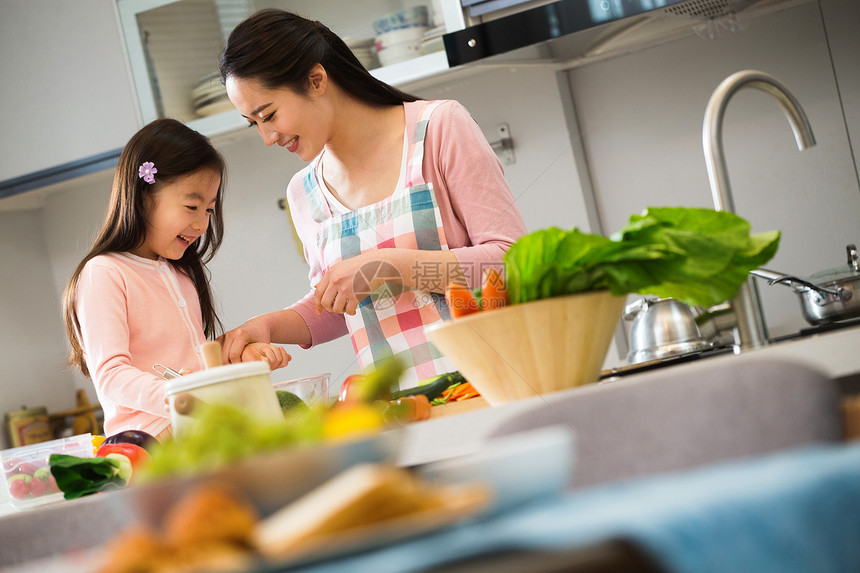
x=793 y=511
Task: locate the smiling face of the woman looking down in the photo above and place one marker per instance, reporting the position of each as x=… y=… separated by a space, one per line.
x=296 y=122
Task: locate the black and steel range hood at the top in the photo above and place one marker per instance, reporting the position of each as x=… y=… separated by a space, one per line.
x=584 y=29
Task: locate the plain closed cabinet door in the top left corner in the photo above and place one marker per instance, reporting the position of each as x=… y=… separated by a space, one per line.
x=66 y=92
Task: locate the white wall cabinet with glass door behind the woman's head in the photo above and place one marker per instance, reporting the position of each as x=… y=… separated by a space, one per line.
x=173 y=48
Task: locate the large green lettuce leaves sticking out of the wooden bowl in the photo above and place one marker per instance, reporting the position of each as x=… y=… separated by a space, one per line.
x=698 y=256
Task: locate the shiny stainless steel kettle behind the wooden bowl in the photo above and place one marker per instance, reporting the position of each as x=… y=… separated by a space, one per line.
x=662 y=327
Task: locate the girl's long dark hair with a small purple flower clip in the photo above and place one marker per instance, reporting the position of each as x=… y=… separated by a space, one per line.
x=176 y=150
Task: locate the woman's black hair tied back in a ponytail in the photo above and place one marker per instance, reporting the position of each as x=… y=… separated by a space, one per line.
x=279 y=49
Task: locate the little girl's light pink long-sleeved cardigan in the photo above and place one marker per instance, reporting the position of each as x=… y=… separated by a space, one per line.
x=135 y=313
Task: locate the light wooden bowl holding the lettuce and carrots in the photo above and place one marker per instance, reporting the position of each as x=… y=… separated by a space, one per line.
x=534 y=348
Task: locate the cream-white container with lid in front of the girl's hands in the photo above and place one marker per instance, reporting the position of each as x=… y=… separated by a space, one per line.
x=246 y=386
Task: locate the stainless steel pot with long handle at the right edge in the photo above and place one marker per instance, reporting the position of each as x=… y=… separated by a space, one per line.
x=827 y=296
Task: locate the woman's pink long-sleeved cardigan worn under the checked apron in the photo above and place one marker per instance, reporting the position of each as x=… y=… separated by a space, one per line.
x=479 y=213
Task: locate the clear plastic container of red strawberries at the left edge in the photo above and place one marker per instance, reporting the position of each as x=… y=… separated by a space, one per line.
x=27 y=475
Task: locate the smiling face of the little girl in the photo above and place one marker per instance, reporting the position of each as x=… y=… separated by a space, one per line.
x=177 y=214
